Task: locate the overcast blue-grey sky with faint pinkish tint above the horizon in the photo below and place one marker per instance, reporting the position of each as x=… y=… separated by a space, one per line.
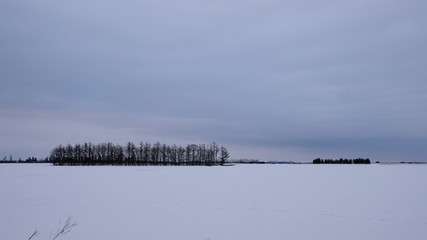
x=271 y=79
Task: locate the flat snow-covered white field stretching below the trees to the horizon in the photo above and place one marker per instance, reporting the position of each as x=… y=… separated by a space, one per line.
x=217 y=203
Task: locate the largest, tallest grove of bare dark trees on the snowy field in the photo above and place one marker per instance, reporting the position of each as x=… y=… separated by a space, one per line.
x=142 y=154
